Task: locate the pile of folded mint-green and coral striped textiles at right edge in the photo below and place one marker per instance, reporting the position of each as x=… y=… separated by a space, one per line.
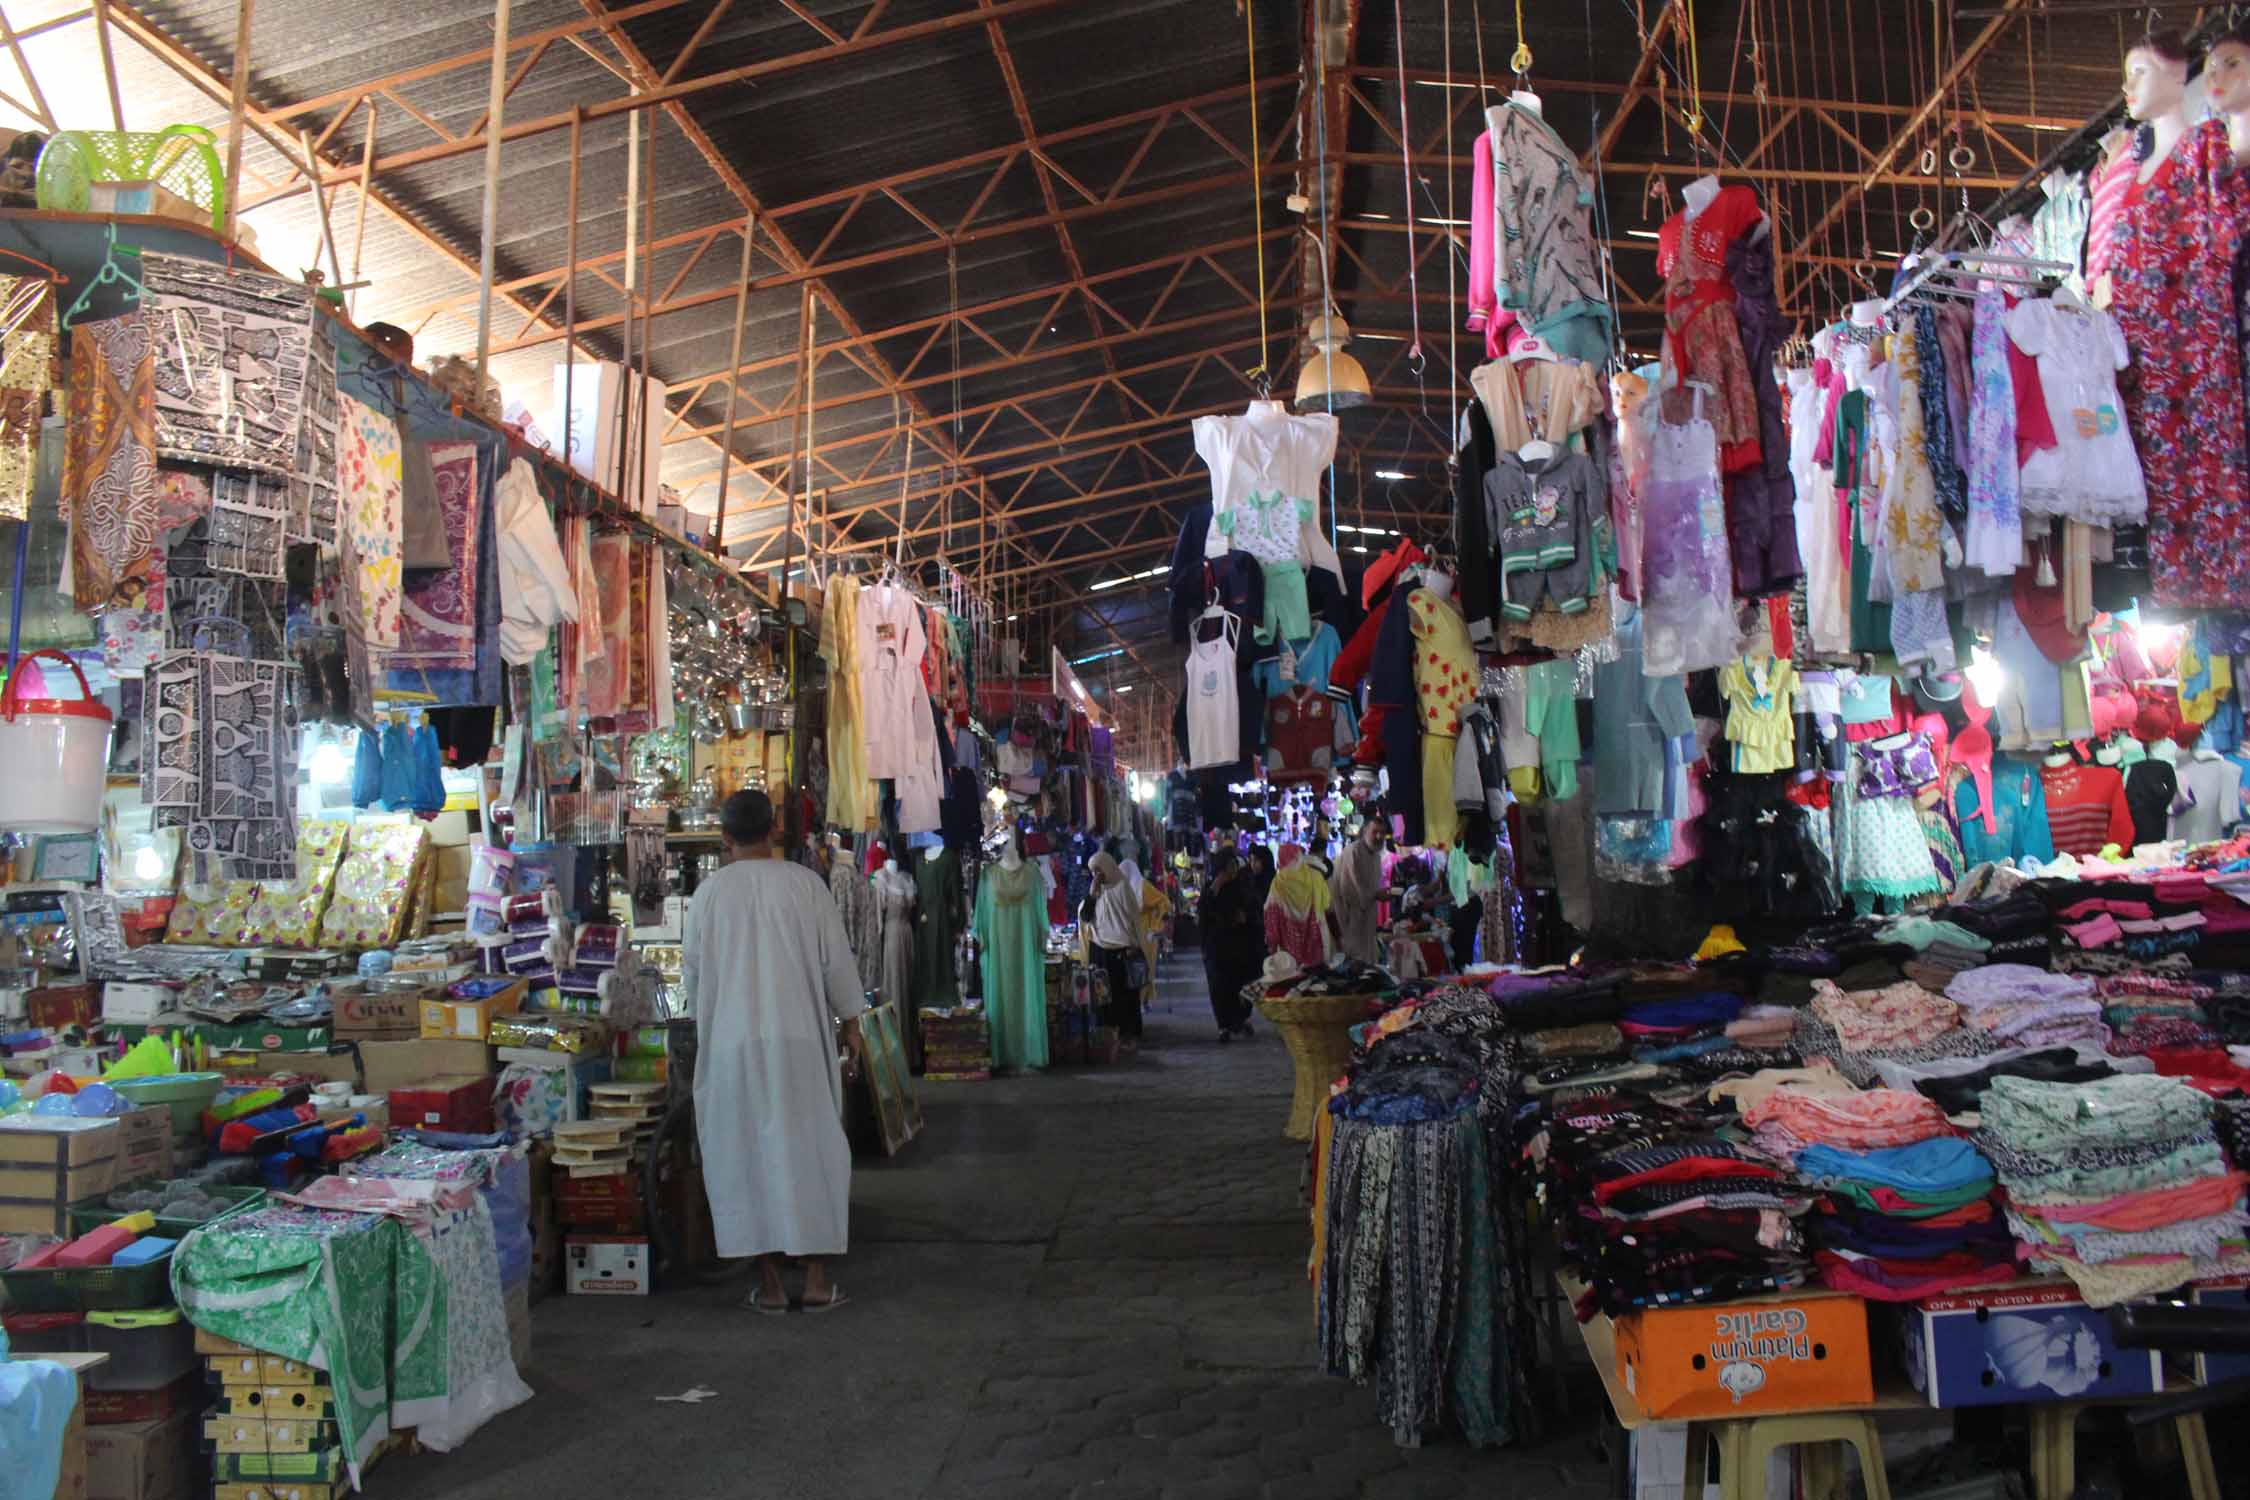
x=2118 y=1184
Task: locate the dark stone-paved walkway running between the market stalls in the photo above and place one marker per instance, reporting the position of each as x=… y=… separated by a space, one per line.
x=1072 y=1287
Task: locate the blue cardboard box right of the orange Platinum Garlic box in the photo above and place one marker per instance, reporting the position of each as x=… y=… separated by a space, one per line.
x=2006 y=1346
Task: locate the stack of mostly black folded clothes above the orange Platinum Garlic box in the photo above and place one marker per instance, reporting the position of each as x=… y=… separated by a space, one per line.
x=1657 y=1207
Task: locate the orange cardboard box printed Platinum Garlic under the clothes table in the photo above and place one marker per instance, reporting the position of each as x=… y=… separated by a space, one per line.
x=1785 y=1353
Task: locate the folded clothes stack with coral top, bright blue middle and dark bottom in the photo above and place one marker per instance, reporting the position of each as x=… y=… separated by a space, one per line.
x=1907 y=1207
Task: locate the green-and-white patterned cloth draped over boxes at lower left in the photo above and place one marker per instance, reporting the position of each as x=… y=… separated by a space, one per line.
x=307 y=1285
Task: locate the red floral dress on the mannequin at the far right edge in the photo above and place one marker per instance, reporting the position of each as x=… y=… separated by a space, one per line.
x=2172 y=291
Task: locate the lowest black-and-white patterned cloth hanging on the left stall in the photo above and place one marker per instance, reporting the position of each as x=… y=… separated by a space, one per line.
x=222 y=763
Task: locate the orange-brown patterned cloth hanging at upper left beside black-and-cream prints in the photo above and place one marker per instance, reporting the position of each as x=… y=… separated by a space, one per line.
x=109 y=462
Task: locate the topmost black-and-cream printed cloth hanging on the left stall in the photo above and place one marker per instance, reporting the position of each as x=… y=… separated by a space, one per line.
x=233 y=356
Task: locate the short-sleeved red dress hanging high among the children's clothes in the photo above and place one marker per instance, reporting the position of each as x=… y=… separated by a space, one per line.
x=1702 y=336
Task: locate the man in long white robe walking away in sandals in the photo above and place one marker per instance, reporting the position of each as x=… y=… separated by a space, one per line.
x=768 y=973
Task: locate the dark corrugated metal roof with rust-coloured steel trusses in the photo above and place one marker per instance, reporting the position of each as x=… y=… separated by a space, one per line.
x=897 y=116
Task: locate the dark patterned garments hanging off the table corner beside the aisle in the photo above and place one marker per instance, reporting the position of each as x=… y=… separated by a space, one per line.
x=1423 y=1281
